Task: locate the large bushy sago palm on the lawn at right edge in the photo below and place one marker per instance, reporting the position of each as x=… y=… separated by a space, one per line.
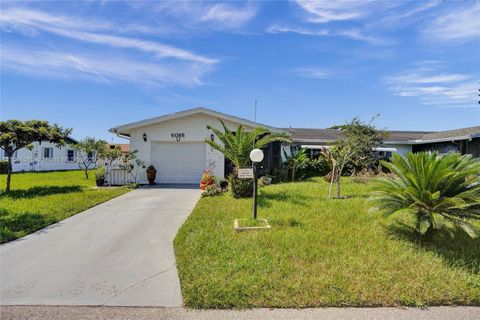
x=437 y=190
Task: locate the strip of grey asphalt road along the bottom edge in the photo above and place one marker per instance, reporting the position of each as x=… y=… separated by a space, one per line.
x=124 y=313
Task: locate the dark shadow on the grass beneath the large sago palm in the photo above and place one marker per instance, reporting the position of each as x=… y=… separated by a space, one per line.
x=461 y=251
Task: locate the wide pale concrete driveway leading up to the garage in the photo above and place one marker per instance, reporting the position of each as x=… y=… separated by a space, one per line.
x=117 y=253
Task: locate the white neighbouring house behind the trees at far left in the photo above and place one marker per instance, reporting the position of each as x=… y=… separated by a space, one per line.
x=44 y=156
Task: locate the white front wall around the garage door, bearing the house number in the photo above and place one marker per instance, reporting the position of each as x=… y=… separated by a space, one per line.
x=195 y=129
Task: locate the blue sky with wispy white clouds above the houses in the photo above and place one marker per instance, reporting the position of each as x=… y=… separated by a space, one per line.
x=91 y=65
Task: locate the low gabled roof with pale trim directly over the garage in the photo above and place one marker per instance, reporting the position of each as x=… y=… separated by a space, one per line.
x=125 y=128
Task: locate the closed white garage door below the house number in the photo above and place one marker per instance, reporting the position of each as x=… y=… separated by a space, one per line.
x=178 y=162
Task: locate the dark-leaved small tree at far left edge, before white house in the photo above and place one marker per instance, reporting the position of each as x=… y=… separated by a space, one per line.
x=16 y=134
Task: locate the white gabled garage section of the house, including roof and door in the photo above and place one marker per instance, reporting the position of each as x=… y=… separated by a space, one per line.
x=175 y=143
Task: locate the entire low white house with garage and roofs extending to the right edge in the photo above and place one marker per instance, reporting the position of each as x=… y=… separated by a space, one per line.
x=175 y=143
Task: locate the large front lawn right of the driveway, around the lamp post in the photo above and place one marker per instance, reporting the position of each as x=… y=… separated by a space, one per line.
x=319 y=252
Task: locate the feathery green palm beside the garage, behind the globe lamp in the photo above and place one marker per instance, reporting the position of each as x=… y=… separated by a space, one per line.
x=236 y=146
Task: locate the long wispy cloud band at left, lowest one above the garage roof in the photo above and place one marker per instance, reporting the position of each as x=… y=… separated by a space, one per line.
x=97 y=67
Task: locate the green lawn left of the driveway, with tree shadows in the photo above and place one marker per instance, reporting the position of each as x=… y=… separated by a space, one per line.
x=39 y=199
